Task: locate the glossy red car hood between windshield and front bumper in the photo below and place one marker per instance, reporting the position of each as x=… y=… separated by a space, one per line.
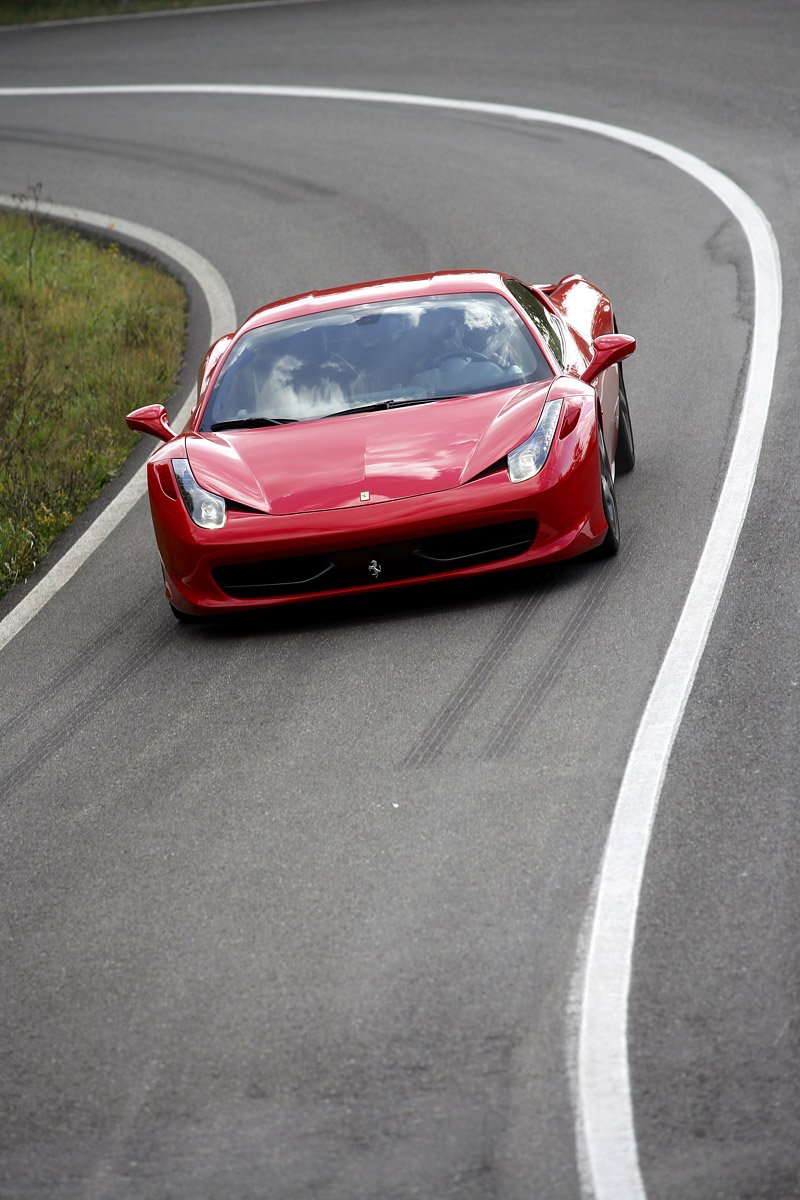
x=392 y=454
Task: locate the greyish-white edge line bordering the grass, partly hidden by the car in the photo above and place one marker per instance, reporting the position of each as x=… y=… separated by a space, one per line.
x=224 y=319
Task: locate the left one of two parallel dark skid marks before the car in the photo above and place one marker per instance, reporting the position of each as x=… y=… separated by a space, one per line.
x=458 y=709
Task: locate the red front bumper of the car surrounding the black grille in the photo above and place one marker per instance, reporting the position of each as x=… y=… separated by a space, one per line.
x=383 y=545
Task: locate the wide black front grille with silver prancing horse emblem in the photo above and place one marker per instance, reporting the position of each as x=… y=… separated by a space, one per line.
x=400 y=561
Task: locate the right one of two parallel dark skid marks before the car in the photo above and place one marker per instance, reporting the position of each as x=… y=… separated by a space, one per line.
x=520 y=716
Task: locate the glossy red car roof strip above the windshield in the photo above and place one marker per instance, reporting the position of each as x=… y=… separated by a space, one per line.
x=377 y=291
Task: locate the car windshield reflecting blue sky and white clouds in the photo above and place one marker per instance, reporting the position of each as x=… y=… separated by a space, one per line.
x=374 y=356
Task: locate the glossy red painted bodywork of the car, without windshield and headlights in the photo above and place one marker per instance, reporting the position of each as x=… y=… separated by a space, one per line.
x=436 y=471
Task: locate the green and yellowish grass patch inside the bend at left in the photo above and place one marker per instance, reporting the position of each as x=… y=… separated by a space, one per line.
x=87 y=334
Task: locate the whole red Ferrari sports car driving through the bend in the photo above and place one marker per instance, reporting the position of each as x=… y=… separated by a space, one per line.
x=392 y=434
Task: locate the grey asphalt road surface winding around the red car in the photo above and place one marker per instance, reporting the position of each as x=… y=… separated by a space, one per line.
x=293 y=909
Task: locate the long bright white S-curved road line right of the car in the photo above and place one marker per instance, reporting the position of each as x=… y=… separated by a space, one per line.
x=605 y=1119
